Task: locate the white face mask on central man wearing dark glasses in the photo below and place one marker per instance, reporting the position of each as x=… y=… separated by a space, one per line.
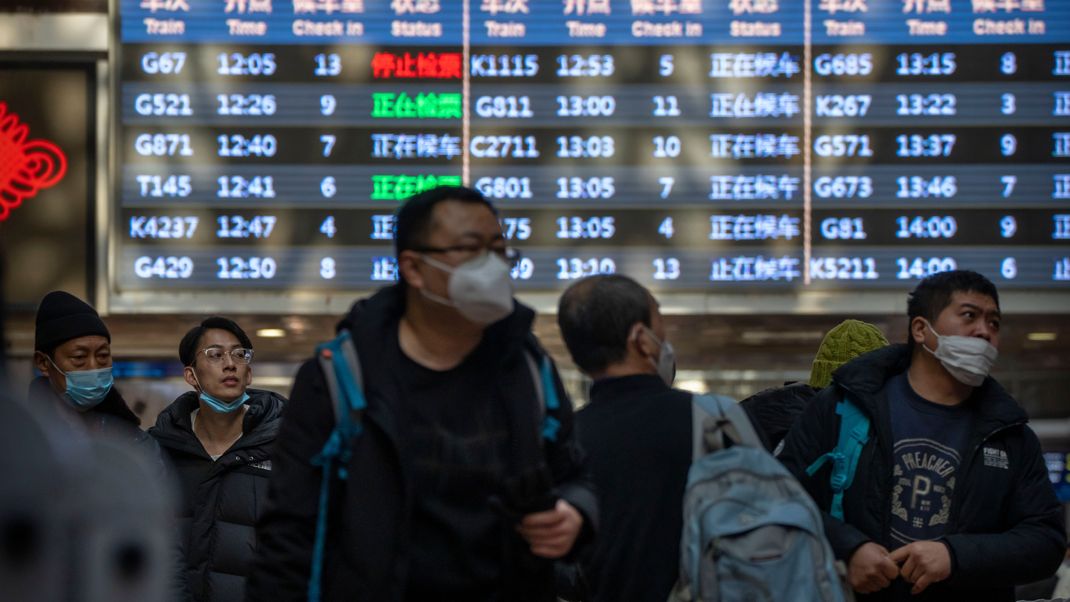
x=481 y=289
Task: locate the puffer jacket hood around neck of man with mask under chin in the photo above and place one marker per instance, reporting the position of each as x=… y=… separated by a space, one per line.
x=174 y=428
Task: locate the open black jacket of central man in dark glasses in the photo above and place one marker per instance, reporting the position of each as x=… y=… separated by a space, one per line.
x=368 y=542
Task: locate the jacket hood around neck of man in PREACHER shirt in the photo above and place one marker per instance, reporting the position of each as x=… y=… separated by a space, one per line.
x=867 y=375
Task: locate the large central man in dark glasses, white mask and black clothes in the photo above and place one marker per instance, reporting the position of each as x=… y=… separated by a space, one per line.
x=453 y=492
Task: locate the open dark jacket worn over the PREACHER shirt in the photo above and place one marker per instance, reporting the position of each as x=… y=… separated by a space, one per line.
x=1006 y=526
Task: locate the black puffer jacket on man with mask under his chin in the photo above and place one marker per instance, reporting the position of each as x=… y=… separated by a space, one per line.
x=222 y=500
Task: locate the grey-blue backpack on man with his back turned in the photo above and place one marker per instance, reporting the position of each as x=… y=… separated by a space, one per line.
x=751 y=530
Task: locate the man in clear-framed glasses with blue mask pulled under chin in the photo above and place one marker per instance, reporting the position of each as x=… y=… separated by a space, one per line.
x=219 y=438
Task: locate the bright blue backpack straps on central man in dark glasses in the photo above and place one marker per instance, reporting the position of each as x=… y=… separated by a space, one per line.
x=342 y=372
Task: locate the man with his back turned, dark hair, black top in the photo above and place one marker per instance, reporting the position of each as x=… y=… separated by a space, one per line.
x=637 y=433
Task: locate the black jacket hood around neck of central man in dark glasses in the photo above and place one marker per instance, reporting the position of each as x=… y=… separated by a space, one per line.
x=373 y=319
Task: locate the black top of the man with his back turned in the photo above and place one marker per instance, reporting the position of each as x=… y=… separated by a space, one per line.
x=637 y=434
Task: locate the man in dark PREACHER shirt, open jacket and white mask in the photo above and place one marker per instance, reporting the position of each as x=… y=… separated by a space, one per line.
x=951 y=499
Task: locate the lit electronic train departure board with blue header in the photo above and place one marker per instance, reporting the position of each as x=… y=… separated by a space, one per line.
x=692 y=145
